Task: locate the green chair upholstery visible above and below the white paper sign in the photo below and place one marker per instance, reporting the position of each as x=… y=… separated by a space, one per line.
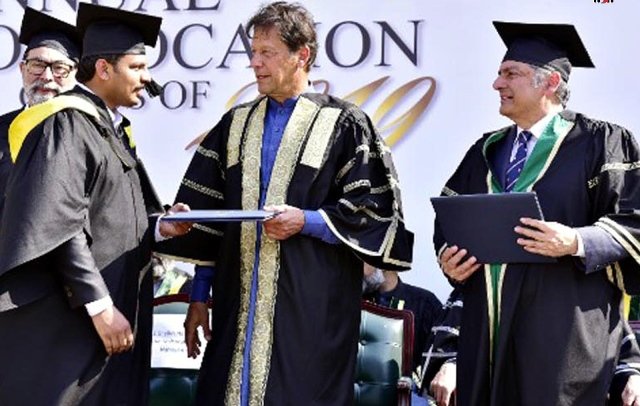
x=169 y=386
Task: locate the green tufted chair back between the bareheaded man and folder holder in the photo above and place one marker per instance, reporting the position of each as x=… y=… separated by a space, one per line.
x=383 y=369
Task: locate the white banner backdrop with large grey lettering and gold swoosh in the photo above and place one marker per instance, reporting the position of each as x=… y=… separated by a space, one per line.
x=422 y=70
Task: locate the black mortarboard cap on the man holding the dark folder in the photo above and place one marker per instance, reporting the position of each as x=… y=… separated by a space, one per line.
x=554 y=46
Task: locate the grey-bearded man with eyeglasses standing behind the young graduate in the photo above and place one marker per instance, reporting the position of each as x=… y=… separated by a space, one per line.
x=48 y=68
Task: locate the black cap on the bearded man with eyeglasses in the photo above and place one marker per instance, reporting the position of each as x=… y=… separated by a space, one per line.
x=41 y=30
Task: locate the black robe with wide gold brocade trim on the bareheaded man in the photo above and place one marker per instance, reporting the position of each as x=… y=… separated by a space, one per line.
x=308 y=307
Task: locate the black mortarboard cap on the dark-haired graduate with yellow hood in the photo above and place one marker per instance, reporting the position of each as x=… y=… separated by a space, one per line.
x=111 y=31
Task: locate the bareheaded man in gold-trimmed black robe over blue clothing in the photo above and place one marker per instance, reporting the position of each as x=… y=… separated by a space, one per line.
x=286 y=292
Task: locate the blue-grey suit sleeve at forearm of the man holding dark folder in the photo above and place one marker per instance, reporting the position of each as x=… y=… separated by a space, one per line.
x=600 y=248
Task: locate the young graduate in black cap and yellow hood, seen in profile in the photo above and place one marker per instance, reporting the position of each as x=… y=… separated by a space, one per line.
x=75 y=294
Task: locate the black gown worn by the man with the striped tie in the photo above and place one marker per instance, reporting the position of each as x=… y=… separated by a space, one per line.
x=560 y=325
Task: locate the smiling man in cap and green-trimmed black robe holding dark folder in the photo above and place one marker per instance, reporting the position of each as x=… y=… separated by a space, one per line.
x=547 y=334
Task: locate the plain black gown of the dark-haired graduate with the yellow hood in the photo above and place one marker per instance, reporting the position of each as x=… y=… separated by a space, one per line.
x=74 y=181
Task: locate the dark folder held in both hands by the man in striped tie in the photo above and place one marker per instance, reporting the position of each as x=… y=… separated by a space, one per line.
x=484 y=225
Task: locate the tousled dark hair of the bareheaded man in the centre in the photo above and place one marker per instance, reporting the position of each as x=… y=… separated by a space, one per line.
x=293 y=21
